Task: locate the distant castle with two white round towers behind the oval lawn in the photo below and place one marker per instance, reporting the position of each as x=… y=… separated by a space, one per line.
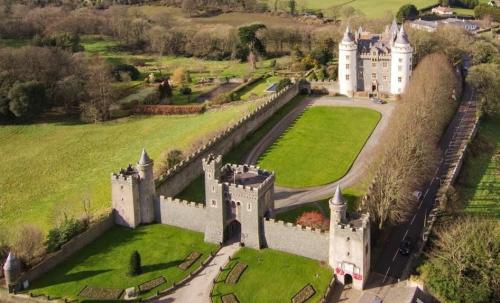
x=373 y=63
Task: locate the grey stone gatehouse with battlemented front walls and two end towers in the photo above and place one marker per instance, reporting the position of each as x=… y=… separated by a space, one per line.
x=239 y=205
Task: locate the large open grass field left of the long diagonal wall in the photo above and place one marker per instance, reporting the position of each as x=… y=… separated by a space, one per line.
x=48 y=168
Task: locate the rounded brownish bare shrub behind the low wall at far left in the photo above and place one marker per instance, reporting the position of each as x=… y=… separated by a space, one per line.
x=29 y=244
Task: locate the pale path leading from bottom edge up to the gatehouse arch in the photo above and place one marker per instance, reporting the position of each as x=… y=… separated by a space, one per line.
x=198 y=289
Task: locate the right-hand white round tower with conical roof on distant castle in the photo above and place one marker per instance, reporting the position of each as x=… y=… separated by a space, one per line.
x=401 y=62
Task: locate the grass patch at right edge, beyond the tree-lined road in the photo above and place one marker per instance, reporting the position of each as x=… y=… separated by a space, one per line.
x=479 y=182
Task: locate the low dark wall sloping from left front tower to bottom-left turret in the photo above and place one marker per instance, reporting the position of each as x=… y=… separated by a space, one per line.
x=69 y=249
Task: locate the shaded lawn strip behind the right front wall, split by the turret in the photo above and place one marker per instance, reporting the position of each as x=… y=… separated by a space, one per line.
x=352 y=196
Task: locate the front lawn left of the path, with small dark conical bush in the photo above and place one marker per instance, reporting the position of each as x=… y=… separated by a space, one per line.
x=104 y=263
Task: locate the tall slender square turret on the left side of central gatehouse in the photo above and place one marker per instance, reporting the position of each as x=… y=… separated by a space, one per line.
x=214 y=200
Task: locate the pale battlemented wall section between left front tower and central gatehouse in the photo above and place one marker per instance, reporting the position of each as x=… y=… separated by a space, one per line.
x=188 y=215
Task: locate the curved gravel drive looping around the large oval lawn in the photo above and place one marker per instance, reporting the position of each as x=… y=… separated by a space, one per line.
x=288 y=197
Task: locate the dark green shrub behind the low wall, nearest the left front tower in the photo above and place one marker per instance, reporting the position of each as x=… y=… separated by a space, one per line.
x=61 y=234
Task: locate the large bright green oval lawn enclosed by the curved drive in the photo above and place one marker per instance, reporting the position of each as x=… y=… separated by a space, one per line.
x=320 y=147
